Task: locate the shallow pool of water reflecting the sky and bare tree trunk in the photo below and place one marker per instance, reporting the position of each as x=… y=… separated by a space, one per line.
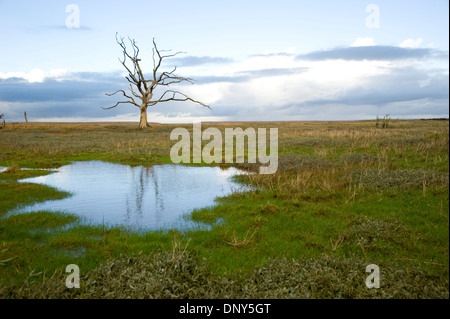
x=154 y=197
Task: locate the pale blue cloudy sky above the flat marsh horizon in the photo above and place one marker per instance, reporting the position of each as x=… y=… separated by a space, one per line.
x=251 y=60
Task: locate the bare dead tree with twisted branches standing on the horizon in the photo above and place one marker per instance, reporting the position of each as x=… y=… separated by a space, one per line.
x=142 y=89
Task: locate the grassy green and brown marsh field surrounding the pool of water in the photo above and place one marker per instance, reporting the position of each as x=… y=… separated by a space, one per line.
x=346 y=195
